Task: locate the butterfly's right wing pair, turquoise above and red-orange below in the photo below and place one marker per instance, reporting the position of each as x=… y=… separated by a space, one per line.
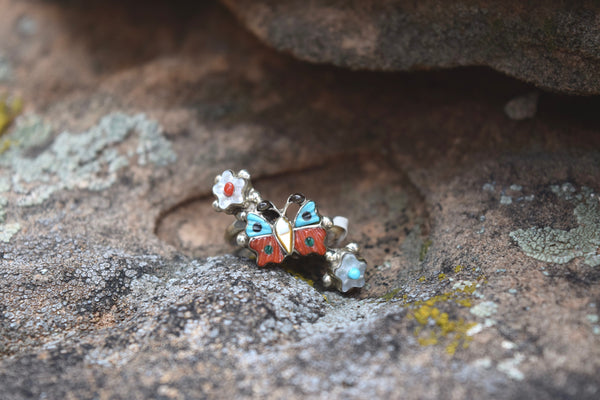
x=309 y=237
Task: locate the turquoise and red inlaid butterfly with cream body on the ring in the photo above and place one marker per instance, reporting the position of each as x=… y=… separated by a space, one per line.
x=272 y=242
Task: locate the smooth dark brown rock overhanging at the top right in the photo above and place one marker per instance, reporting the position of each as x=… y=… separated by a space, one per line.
x=554 y=46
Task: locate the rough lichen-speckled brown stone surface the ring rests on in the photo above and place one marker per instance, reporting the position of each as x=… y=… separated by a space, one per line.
x=115 y=282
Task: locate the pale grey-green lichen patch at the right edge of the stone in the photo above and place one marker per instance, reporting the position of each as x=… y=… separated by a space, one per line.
x=561 y=246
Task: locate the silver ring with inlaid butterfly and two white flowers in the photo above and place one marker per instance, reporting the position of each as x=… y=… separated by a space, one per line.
x=268 y=235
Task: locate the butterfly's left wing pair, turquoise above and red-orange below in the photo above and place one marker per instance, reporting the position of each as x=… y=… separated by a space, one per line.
x=262 y=241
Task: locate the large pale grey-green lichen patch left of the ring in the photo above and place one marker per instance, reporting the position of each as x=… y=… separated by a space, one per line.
x=89 y=160
